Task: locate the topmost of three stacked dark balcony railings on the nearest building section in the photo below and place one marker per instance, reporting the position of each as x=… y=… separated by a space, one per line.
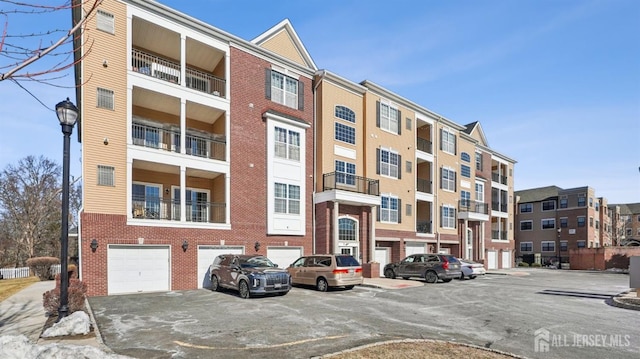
x=168 y=70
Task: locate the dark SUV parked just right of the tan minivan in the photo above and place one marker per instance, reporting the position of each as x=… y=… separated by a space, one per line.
x=431 y=267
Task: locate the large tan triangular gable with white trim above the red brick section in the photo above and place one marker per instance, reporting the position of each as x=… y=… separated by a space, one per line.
x=283 y=40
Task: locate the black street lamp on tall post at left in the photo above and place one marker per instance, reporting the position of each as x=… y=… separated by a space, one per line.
x=67 y=115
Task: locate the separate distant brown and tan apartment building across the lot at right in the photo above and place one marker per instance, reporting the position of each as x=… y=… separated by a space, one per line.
x=551 y=221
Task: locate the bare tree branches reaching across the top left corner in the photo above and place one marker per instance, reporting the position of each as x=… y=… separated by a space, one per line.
x=20 y=50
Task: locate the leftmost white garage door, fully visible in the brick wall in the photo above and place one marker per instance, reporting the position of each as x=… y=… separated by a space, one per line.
x=134 y=269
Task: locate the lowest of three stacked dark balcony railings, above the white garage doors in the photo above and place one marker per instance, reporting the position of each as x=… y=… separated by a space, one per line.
x=163 y=209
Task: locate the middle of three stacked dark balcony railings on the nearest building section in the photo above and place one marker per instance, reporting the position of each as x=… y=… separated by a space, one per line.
x=169 y=140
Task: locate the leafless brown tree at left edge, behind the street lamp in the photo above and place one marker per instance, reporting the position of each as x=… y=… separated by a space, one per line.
x=30 y=208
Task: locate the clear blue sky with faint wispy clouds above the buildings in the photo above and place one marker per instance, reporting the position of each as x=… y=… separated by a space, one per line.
x=555 y=84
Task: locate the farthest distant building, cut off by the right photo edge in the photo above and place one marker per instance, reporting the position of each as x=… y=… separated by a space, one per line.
x=625 y=223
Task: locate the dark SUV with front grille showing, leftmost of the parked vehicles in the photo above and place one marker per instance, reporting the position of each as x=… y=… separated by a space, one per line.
x=249 y=274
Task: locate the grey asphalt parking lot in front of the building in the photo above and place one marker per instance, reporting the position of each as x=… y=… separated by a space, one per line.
x=547 y=314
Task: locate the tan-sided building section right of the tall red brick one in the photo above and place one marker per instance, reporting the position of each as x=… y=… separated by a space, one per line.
x=394 y=178
